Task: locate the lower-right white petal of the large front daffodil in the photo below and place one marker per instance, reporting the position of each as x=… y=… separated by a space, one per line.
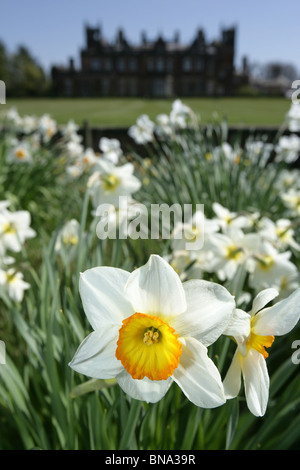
x=198 y=377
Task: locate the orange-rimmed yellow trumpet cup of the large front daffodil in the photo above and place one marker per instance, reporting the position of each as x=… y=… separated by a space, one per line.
x=148 y=347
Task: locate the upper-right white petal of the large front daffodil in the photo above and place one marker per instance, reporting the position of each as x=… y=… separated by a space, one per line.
x=209 y=310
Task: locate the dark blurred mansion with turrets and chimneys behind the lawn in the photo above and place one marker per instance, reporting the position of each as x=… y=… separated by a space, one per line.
x=156 y=68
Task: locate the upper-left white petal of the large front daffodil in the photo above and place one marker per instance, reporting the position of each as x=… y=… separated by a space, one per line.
x=102 y=295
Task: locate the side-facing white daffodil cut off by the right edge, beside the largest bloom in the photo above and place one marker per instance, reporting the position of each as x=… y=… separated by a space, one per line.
x=257 y=330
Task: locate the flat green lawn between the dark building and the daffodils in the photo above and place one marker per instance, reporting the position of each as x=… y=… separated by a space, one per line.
x=123 y=112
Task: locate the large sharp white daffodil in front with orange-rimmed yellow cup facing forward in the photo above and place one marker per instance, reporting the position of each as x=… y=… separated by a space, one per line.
x=150 y=330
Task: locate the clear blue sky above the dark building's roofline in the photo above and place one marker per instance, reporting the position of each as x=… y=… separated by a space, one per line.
x=267 y=30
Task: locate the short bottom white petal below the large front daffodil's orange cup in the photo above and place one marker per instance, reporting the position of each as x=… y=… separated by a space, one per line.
x=147 y=390
